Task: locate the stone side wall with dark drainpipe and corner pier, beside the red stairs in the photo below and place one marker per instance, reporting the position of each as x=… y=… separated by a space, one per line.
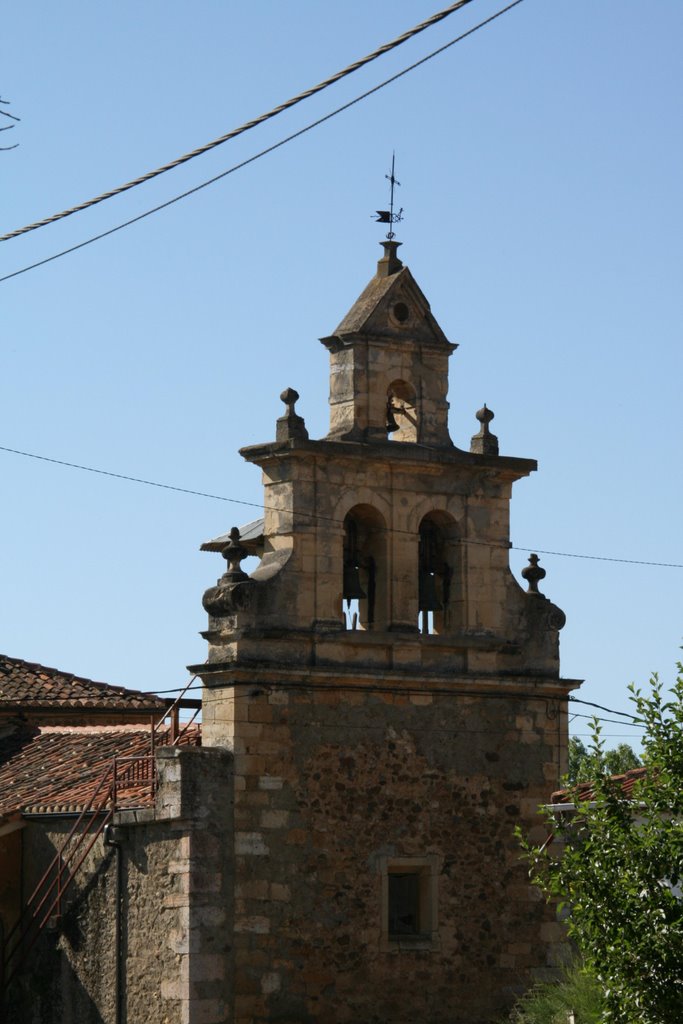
x=176 y=918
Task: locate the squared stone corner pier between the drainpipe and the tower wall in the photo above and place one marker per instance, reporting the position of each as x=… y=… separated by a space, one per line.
x=195 y=812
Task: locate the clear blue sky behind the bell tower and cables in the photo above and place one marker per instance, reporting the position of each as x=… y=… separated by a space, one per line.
x=540 y=163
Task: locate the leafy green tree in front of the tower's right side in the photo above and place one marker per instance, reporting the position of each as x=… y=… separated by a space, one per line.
x=618 y=869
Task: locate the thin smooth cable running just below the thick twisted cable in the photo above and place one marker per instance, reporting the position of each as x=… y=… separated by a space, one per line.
x=261 y=154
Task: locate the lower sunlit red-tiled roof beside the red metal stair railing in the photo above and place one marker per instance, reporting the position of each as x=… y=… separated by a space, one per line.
x=52 y=770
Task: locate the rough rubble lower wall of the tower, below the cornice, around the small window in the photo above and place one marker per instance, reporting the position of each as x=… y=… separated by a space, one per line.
x=330 y=785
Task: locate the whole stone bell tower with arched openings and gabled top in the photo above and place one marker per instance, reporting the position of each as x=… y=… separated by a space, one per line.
x=392 y=696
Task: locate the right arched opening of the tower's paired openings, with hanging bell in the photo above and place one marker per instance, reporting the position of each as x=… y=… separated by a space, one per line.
x=438 y=552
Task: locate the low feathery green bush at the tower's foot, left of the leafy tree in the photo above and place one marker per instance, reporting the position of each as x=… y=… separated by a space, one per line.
x=576 y=993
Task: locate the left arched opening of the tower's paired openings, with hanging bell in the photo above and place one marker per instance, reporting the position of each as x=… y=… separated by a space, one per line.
x=365 y=571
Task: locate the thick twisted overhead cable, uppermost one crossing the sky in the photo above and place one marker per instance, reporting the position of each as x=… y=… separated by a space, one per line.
x=248 y=125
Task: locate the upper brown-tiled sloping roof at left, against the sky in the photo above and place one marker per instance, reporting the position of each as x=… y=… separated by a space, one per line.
x=28 y=686
